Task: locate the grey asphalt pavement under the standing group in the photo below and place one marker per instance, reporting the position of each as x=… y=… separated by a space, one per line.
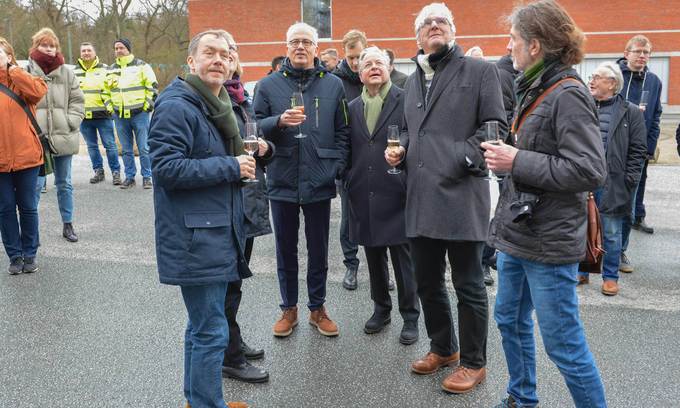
x=94 y=328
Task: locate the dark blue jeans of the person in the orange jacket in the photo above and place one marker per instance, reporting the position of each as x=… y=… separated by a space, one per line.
x=17 y=191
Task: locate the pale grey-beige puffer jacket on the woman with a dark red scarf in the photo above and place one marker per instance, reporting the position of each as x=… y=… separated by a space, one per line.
x=62 y=109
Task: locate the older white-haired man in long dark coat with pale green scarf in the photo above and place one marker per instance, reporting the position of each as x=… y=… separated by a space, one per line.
x=376 y=198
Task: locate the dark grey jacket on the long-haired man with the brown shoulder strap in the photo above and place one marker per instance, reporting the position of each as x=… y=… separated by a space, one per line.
x=560 y=158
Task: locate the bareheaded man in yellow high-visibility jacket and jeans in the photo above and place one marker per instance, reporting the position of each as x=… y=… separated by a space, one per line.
x=98 y=108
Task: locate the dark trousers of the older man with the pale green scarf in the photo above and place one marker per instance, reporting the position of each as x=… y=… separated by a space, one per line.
x=376 y=258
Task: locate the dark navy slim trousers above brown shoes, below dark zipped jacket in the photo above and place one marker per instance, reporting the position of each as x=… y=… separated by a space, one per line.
x=286 y=218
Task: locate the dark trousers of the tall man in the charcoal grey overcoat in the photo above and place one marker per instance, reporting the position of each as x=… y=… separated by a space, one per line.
x=429 y=259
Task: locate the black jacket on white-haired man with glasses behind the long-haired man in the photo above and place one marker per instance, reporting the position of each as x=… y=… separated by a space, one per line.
x=626 y=152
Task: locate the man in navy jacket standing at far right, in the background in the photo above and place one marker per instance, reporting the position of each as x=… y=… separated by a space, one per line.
x=638 y=78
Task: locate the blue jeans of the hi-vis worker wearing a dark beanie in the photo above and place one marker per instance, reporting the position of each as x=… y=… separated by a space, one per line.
x=139 y=124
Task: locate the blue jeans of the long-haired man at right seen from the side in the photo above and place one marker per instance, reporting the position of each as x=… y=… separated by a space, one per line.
x=524 y=286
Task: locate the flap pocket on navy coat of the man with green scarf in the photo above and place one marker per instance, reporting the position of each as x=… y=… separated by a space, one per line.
x=211 y=242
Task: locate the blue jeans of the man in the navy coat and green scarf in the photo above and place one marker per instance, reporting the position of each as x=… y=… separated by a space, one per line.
x=206 y=337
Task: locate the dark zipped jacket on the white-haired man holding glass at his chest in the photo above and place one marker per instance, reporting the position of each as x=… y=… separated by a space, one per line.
x=304 y=170
